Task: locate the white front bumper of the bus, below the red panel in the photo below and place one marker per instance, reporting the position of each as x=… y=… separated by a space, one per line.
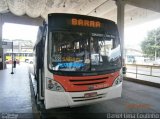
x=72 y=99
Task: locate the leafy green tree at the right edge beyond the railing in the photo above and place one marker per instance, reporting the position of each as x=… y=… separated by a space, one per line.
x=151 y=45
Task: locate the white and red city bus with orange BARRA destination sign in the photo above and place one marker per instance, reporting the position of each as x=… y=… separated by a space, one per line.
x=78 y=61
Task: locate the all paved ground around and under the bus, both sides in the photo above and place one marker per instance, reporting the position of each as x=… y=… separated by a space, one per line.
x=15 y=98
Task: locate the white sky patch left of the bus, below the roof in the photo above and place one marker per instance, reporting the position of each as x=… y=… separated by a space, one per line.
x=18 y=31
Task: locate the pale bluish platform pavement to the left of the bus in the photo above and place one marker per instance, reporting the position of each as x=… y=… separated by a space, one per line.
x=15 y=95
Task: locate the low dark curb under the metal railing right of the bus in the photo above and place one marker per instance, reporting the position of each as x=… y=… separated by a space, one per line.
x=148 y=83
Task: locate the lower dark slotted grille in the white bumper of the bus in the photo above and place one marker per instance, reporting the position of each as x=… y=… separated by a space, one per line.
x=80 y=99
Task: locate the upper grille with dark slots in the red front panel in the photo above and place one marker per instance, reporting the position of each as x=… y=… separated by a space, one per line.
x=86 y=82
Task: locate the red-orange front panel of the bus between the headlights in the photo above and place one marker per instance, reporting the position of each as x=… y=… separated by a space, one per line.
x=85 y=83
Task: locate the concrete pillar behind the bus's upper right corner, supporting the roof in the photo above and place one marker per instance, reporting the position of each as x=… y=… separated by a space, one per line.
x=120 y=22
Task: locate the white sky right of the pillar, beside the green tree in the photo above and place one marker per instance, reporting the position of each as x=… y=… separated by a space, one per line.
x=133 y=36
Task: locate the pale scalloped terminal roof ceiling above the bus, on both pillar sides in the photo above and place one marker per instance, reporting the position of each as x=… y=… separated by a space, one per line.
x=135 y=10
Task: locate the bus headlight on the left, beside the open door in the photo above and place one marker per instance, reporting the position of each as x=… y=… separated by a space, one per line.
x=53 y=85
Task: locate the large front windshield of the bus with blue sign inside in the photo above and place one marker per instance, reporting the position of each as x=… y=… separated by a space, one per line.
x=82 y=51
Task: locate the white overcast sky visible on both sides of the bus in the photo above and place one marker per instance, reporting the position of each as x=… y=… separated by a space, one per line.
x=133 y=36
